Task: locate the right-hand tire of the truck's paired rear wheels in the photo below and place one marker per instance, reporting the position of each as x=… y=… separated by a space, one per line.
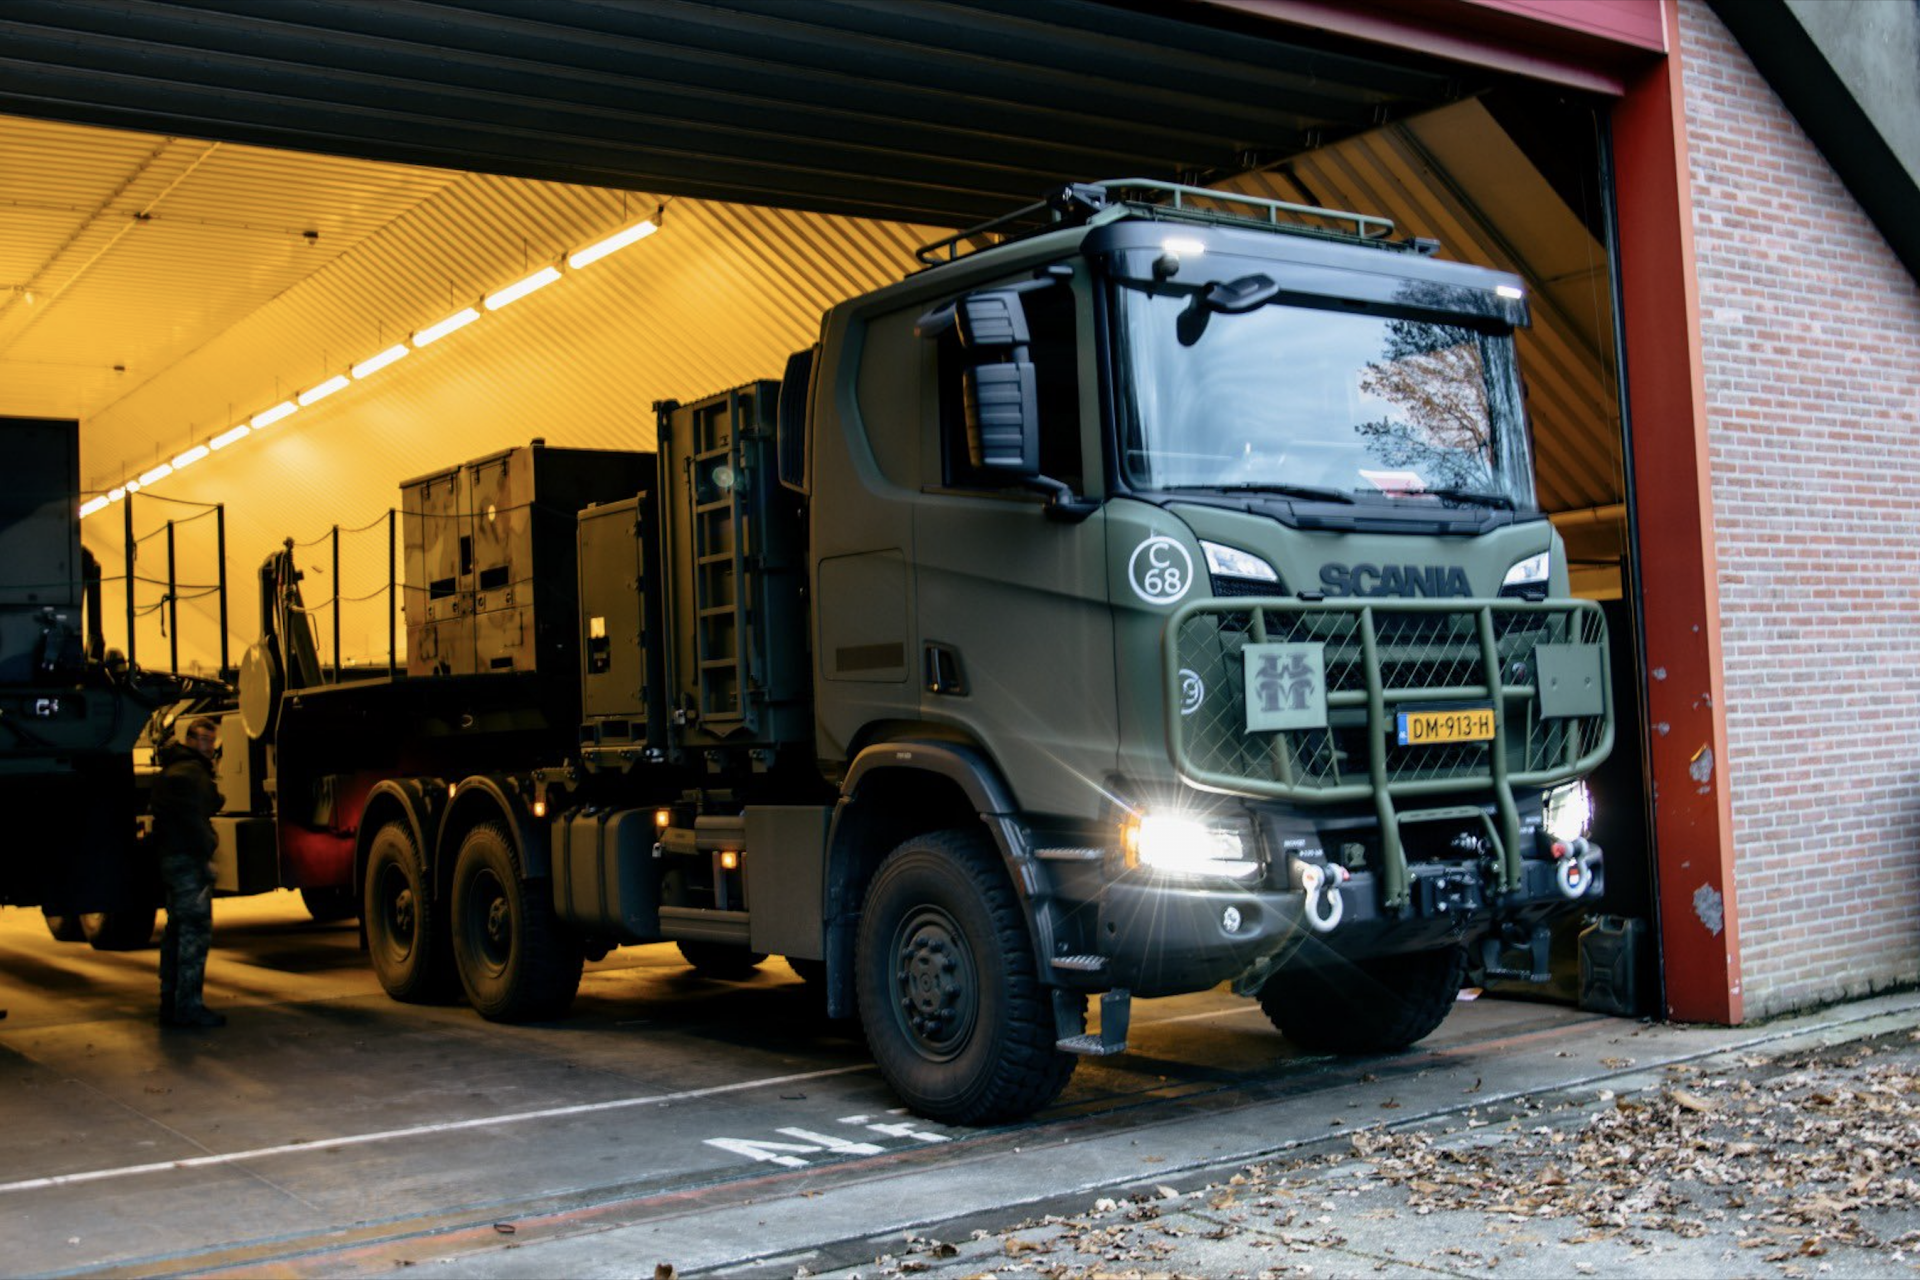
x=517 y=960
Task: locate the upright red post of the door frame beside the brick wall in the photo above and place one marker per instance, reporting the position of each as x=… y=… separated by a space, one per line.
x=1677 y=557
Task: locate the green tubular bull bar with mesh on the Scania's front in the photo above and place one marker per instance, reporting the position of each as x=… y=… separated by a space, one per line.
x=1381 y=659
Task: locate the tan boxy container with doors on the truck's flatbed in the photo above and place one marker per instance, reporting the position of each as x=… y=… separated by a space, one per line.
x=491 y=557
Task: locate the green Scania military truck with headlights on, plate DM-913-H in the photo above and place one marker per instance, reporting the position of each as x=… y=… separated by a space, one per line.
x=1147 y=594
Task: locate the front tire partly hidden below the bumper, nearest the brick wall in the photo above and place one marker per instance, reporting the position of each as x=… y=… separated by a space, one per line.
x=1366 y=1007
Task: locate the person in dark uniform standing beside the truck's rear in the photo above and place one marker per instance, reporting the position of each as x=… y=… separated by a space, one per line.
x=185 y=801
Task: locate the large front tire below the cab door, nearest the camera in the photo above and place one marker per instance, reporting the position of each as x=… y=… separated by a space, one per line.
x=944 y=936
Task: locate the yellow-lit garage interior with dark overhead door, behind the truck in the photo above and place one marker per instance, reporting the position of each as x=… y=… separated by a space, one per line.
x=212 y=214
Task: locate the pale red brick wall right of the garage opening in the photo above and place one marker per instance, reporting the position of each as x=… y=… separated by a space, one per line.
x=1812 y=335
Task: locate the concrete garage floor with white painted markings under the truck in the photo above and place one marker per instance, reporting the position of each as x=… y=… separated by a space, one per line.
x=329 y=1129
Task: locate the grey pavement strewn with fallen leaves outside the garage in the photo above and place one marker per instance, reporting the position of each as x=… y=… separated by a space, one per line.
x=1783 y=1158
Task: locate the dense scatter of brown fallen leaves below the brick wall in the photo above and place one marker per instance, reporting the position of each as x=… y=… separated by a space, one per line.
x=1792 y=1158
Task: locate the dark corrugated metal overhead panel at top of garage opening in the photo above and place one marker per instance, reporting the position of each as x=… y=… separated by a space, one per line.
x=938 y=110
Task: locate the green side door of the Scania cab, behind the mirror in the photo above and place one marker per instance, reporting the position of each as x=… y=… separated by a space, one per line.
x=1017 y=642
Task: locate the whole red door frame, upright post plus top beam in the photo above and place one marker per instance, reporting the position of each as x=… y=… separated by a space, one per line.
x=1631 y=51
